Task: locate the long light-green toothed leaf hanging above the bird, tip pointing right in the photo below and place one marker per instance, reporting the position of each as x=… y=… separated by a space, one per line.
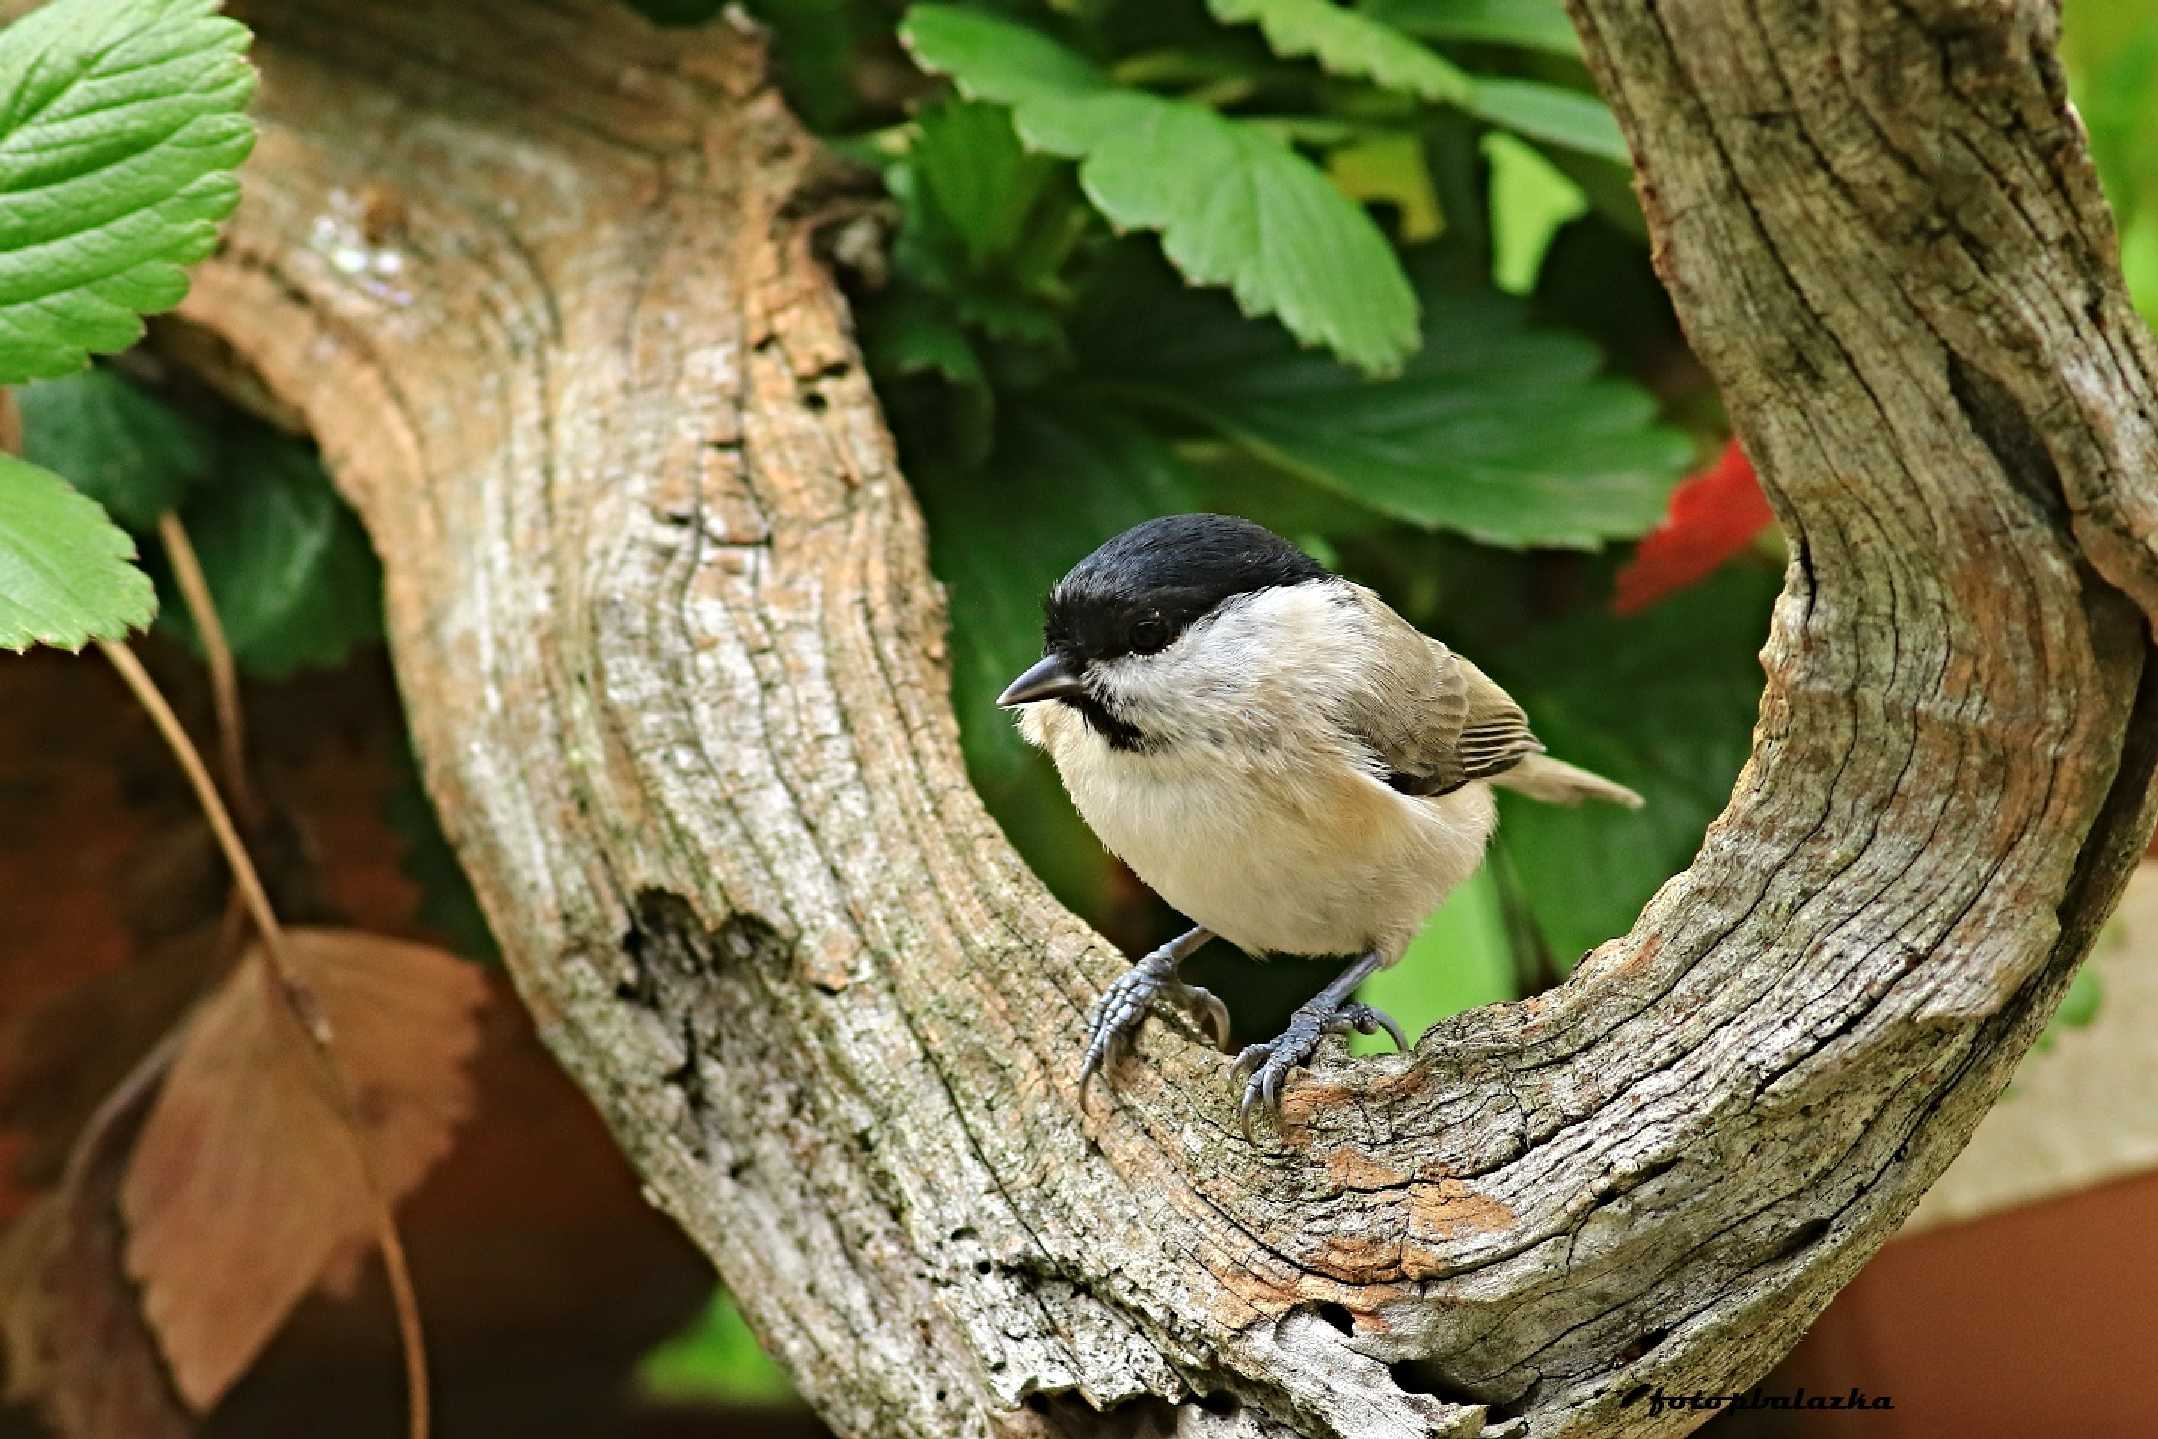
x=1233 y=204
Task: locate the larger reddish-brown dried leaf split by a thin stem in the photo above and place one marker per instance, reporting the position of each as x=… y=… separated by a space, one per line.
x=245 y=1181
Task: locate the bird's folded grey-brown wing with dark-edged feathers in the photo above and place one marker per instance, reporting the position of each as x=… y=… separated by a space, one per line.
x=1434 y=719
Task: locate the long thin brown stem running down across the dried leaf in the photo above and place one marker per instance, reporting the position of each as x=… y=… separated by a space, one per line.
x=301 y=1004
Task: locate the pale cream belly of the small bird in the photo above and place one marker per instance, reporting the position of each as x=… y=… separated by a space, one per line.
x=1339 y=864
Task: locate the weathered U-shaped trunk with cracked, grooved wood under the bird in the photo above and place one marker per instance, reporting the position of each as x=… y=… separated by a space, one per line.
x=674 y=663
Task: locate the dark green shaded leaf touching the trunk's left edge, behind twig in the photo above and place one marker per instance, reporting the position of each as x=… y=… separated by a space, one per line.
x=288 y=566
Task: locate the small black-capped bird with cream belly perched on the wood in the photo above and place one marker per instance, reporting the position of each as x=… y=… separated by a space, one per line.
x=1281 y=756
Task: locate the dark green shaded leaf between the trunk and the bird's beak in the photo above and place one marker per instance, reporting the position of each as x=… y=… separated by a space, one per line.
x=1058 y=484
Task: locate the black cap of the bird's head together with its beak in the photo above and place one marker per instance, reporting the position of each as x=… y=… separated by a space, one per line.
x=1143 y=590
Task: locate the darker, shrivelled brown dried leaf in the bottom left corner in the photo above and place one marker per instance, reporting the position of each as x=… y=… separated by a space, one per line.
x=70 y=1328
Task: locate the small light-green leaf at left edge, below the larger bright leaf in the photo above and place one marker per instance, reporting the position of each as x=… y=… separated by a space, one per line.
x=66 y=571
